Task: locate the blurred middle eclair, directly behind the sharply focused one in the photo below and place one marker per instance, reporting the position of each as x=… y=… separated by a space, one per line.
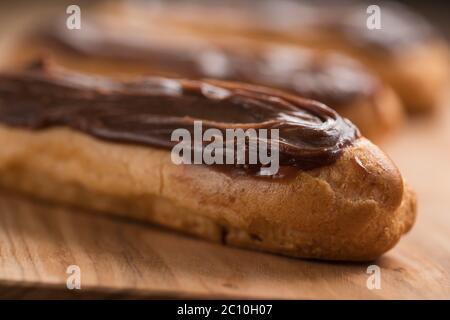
x=124 y=43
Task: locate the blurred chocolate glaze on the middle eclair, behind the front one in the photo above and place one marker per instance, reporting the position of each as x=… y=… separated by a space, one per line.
x=330 y=78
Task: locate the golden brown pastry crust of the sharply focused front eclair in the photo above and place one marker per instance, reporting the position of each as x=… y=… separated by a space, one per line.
x=355 y=209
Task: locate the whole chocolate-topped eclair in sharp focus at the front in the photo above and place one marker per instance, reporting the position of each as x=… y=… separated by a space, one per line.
x=106 y=145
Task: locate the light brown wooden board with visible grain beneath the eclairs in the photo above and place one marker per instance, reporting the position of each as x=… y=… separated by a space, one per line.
x=120 y=259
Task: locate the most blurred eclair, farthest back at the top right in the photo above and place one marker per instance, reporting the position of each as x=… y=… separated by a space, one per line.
x=402 y=48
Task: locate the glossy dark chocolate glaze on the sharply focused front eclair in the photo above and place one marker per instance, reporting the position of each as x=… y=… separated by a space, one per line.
x=147 y=111
